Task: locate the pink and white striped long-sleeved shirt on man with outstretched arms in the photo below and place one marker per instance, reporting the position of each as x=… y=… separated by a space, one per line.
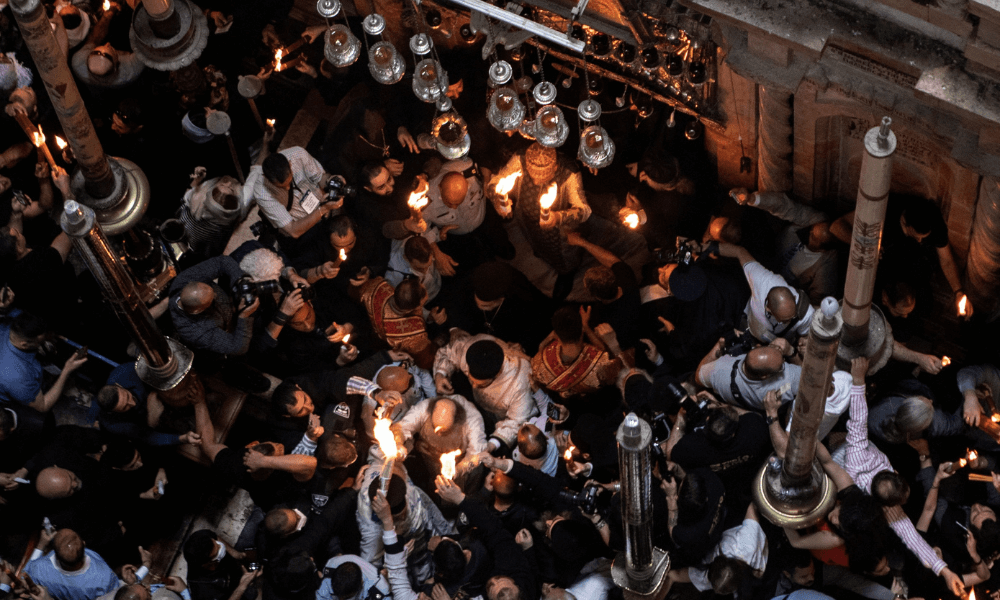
x=864 y=461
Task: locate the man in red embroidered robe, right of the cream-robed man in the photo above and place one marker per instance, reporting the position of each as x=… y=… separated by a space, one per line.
x=569 y=365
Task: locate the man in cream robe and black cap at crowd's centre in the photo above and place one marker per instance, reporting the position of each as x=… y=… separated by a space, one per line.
x=500 y=378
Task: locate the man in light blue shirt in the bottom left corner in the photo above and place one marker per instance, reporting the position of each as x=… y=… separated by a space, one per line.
x=71 y=571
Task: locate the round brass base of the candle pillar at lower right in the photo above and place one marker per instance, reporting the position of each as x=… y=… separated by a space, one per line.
x=796 y=507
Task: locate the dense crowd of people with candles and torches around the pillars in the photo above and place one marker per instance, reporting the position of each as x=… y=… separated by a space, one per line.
x=488 y=345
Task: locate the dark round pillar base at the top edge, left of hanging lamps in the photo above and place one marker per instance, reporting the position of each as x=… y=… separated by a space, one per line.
x=177 y=51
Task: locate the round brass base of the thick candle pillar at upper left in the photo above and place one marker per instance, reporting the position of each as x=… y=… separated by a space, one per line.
x=127 y=203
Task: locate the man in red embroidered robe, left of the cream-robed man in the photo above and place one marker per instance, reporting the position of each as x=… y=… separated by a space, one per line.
x=397 y=315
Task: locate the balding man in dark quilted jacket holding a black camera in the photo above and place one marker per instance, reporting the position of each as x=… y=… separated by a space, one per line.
x=202 y=308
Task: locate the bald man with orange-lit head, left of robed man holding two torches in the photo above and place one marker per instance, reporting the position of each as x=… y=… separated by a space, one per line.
x=458 y=214
